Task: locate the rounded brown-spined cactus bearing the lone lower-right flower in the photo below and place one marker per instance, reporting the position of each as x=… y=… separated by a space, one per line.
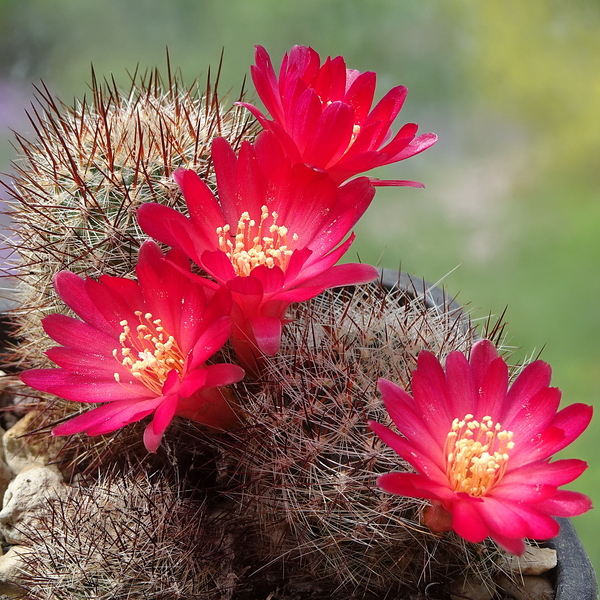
x=303 y=471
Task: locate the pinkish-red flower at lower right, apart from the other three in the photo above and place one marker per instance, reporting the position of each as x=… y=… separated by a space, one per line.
x=481 y=449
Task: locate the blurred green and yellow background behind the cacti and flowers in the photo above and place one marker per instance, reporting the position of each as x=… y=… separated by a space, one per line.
x=510 y=216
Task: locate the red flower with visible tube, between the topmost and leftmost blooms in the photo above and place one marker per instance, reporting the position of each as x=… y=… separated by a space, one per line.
x=272 y=237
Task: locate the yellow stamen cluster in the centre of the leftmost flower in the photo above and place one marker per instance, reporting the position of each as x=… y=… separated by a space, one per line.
x=148 y=352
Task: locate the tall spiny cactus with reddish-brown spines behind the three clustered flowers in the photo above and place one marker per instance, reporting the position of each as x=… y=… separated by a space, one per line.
x=77 y=187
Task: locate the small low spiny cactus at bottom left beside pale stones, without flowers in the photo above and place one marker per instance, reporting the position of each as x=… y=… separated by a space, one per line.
x=128 y=536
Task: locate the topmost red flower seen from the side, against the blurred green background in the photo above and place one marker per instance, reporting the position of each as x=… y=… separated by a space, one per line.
x=322 y=115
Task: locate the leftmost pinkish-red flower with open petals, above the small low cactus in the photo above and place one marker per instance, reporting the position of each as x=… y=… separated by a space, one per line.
x=140 y=347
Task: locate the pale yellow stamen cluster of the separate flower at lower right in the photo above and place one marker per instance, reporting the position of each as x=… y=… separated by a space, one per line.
x=476 y=454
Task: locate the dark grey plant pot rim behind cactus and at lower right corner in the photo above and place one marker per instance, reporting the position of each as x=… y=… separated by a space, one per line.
x=574 y=575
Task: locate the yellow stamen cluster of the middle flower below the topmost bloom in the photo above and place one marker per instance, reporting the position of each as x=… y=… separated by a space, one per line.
x=256 y=243
